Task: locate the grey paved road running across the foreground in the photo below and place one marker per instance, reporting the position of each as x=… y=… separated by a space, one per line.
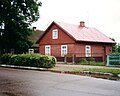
x=15 y=82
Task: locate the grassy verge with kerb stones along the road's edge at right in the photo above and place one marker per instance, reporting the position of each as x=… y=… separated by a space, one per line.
x=96 y=74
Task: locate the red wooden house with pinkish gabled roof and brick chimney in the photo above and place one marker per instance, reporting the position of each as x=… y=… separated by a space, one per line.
x=78 y=41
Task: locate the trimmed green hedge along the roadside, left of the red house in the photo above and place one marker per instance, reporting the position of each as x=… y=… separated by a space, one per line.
x=32 y=60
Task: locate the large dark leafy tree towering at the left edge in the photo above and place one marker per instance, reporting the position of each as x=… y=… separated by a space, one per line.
x=15 y=18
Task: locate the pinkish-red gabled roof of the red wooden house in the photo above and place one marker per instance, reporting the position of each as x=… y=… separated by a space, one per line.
x=83 y=34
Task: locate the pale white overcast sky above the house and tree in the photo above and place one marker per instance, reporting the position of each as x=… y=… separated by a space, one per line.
x=103 y=15
